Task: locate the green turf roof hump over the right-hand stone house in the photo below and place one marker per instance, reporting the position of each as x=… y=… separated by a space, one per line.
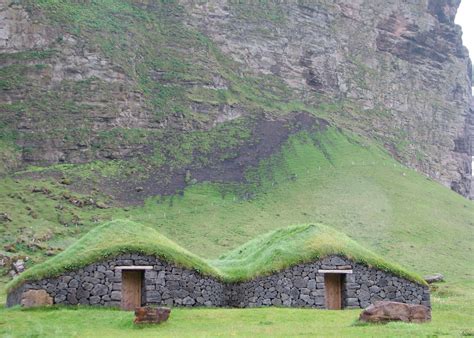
x=285 y=247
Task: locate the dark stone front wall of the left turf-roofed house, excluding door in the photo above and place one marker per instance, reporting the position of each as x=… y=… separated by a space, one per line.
x=101 y=284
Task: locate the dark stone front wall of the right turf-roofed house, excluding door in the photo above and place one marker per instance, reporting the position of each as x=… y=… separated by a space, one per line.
x=303 y=286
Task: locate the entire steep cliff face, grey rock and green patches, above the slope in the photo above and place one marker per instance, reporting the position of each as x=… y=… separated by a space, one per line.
x=83 y=82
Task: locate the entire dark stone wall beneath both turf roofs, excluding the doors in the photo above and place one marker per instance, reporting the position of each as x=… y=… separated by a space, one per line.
x=168 y=284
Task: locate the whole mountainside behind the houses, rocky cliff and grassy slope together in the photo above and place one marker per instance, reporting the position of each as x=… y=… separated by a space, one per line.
x=217 y=122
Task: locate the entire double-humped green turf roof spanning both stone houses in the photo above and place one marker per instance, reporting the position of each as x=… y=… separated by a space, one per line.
x=263 y=255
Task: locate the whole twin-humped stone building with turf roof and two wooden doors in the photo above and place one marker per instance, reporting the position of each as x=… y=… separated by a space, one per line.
x=125 y=264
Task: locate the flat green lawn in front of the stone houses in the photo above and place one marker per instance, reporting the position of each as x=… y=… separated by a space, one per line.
x=453 y=314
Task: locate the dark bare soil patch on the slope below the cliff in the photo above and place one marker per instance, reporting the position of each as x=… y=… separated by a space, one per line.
x=267 y=138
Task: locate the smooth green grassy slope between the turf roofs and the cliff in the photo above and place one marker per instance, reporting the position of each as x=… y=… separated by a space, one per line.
x=326 y=177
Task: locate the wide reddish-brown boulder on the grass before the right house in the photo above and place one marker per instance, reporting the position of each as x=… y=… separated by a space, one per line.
x=386 y=311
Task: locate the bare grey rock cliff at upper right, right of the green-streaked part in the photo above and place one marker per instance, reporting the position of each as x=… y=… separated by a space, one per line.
x=399 y=66
